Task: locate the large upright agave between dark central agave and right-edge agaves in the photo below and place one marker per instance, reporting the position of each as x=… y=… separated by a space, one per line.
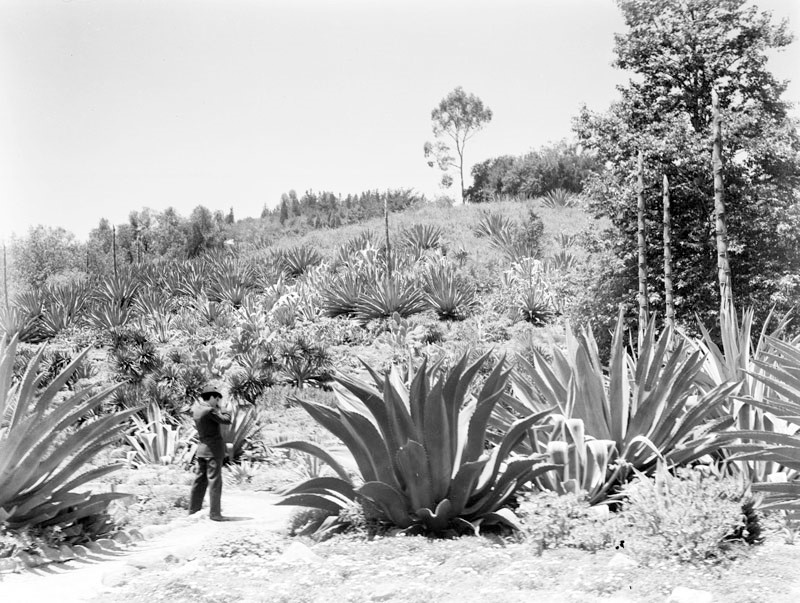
x=647 y=403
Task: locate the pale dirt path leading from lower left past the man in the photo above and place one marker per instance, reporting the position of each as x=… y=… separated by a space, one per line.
x=87 y=579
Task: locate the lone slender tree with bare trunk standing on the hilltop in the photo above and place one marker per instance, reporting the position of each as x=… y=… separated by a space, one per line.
x=457 y=118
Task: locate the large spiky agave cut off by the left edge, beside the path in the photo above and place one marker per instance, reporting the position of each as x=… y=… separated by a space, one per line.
x=44 y=446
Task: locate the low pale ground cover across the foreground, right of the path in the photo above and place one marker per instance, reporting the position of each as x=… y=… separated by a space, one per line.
x=414 y=569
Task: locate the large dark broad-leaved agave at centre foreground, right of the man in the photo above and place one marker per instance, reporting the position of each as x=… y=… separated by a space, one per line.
x=418 y=443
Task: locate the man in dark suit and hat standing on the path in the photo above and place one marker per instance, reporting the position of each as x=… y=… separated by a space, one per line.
x=208 y=416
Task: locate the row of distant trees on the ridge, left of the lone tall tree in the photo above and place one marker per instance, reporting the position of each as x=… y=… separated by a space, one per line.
x=46 y=254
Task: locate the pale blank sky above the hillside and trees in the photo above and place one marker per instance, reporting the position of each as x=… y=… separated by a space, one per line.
x=109 y=106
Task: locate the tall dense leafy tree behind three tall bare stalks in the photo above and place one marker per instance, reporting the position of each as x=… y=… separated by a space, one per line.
x=679 y=51
